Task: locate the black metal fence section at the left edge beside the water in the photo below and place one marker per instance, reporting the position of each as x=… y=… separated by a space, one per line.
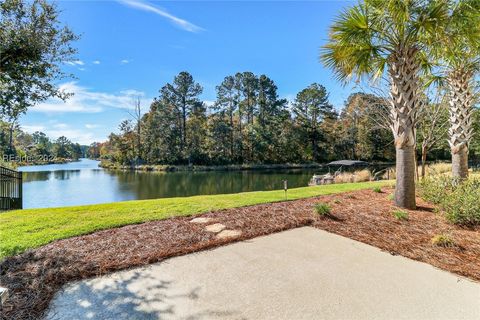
x=10 y=189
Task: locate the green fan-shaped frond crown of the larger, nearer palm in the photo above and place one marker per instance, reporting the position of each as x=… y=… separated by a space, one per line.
x=363 y=37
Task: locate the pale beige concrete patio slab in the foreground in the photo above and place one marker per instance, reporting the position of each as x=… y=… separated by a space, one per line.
x=304 y=273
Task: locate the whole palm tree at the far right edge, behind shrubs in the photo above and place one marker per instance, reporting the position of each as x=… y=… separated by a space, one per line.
x=460 y=53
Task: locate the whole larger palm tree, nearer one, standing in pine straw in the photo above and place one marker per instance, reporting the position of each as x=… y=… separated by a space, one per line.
x=389 y=37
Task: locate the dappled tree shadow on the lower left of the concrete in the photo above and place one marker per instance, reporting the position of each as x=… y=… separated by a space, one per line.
x=118 y=300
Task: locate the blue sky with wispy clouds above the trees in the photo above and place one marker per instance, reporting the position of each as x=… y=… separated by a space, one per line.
x=132 y=48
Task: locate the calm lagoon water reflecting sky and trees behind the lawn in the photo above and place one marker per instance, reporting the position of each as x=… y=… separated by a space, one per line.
x=83 y=182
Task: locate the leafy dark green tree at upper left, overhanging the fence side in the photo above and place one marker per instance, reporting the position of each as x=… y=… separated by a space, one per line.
x=33 y=44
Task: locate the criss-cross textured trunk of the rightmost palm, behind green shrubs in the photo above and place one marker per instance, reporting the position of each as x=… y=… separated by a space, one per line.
x=461 y=120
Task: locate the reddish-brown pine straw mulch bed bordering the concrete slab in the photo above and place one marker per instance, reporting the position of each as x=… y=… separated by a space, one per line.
x=35 y=276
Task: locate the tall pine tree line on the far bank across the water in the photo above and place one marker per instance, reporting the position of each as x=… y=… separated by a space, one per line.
x=249 y=123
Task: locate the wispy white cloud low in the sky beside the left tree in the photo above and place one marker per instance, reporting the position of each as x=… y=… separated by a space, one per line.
x=86 y=101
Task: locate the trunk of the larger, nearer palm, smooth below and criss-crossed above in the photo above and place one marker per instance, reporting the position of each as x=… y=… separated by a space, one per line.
x=403 y=69
